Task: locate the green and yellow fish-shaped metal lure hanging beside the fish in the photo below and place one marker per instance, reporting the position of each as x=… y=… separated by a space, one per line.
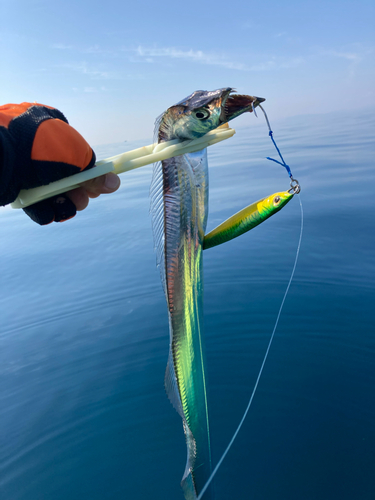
x=247 y=219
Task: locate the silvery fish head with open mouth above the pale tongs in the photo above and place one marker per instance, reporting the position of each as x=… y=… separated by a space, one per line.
x=202 y=112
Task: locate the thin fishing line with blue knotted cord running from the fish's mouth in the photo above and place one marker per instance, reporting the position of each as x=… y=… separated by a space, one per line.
x=296 y=189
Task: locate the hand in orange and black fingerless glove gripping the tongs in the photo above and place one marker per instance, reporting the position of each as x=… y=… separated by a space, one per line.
x=38 y=146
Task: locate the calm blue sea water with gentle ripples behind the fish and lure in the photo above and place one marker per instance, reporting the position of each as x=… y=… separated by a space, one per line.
x=84 y=334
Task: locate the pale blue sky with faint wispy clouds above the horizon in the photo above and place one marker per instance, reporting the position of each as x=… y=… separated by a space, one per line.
x=112 y=67
